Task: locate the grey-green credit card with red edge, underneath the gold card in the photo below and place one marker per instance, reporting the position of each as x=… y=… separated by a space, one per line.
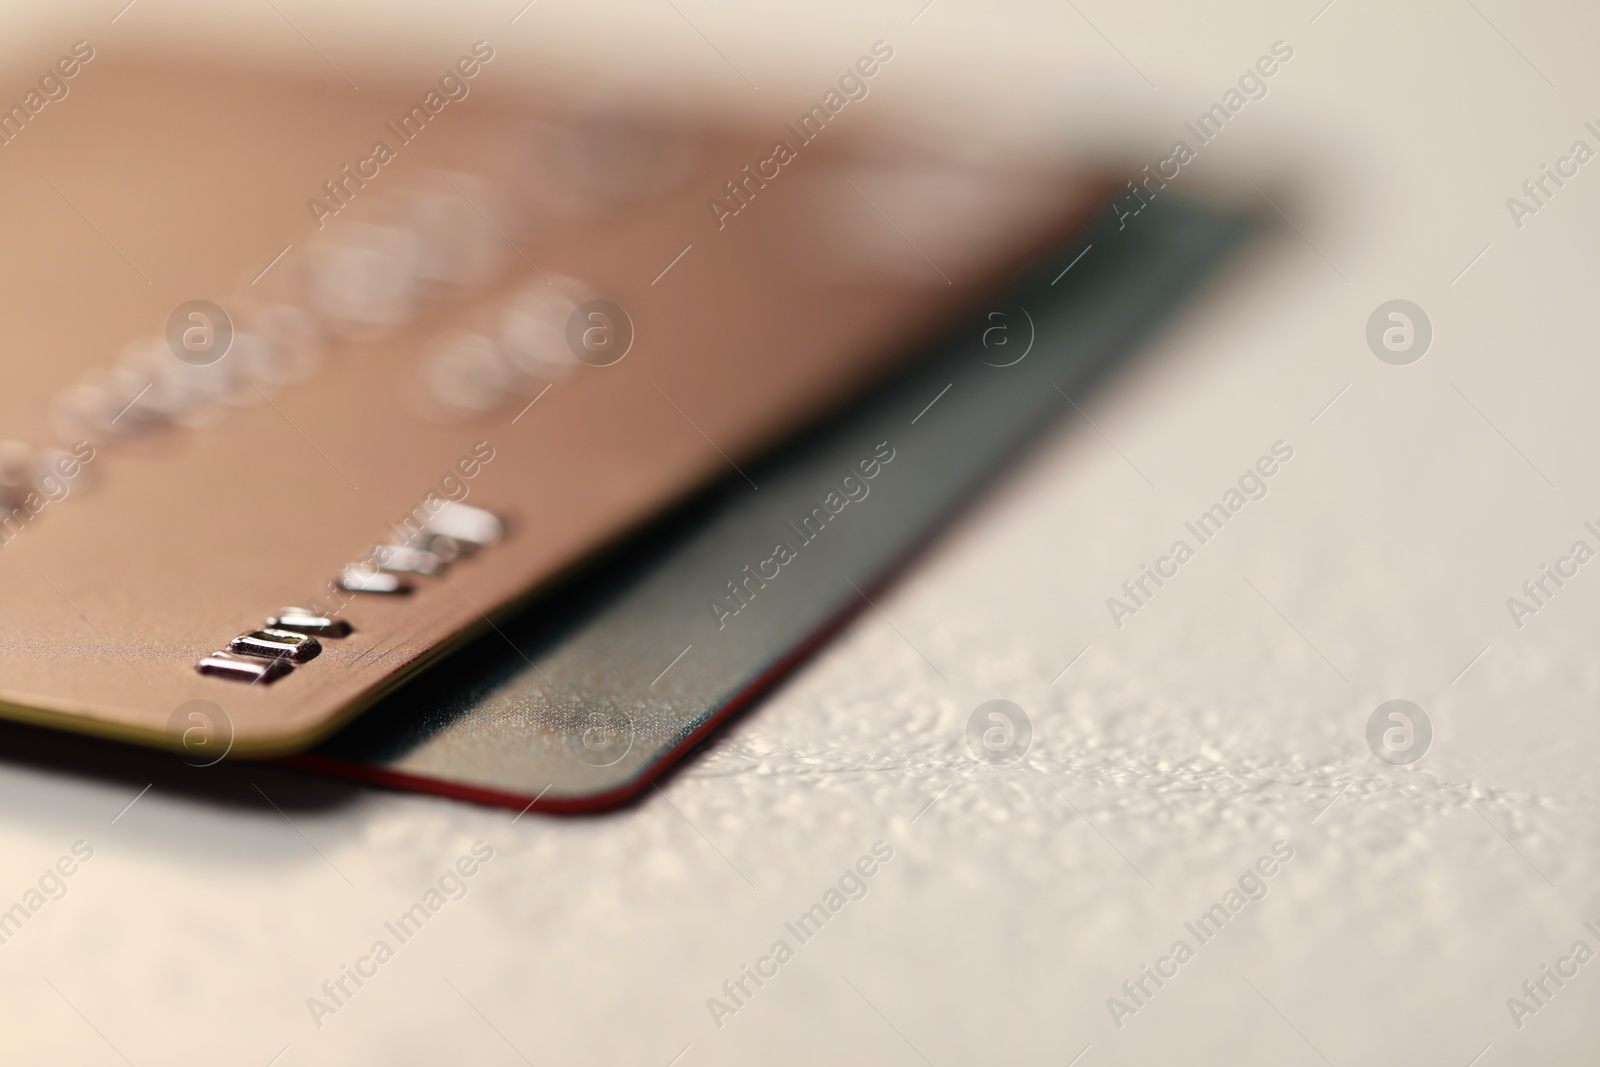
x=582 y=703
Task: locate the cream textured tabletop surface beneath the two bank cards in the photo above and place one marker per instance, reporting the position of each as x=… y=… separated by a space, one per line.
x=1223 y=717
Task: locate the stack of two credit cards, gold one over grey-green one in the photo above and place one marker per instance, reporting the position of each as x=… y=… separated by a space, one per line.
x=502 y=447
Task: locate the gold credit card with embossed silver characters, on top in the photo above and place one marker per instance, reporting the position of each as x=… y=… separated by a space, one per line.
x=306 y=385
